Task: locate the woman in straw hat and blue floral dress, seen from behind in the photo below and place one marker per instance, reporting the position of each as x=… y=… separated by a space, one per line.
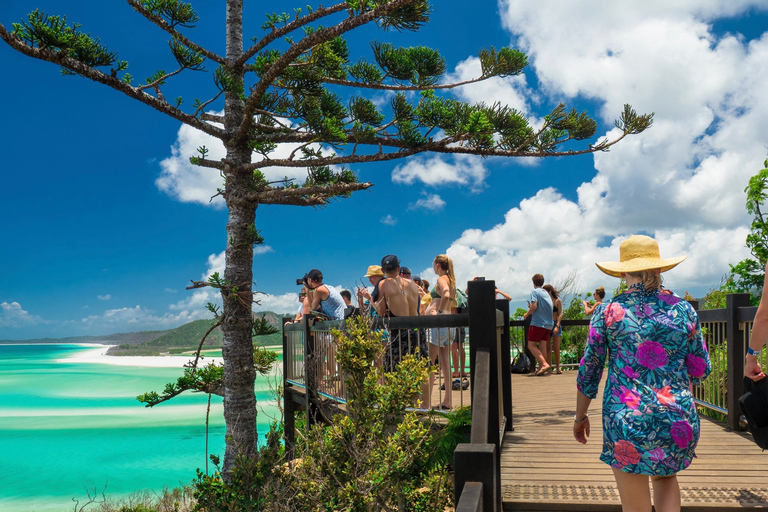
x=655 y=352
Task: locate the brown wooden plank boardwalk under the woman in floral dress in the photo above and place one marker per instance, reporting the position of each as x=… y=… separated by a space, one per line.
x=544 y=468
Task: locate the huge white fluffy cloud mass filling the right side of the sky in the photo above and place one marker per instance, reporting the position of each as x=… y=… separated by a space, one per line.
x=682 y=181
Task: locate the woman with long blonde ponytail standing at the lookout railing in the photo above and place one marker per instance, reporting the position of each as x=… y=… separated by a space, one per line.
x=443 y=299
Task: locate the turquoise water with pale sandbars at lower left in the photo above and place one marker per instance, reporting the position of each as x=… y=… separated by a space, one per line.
x=65 y=427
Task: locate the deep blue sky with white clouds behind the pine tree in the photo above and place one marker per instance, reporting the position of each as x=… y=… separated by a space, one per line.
x=105 y=222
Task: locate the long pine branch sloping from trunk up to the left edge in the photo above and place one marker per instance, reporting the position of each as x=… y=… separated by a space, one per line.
x=60 y=58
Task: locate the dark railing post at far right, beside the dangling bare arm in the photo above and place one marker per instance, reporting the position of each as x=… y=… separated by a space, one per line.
x=735 y=354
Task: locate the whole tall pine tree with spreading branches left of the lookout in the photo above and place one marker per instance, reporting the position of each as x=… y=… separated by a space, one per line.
x=296 y=83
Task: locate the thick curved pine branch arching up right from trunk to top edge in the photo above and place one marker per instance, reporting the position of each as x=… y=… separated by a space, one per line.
x=287 y=58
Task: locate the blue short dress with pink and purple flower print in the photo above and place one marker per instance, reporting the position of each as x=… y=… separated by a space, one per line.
x=655 y=351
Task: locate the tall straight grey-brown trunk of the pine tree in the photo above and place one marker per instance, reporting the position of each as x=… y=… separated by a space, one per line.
x=237 y=349
